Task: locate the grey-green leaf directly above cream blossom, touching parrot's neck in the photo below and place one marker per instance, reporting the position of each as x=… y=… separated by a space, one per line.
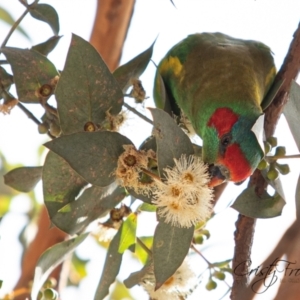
x=171 y=141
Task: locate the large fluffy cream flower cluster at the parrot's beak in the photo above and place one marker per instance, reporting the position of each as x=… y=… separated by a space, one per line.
x=184 y=198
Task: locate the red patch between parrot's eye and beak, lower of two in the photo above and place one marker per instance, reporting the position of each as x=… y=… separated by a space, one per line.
x=235 y=161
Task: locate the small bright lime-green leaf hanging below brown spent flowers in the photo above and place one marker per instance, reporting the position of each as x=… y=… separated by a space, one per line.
x=128 y=233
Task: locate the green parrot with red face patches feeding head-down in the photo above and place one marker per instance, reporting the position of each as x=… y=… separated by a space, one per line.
x=220 y=84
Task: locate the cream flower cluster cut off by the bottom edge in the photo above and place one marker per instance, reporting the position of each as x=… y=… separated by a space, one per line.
x=178 y=286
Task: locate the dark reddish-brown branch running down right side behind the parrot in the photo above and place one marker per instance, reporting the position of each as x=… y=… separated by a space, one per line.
x=245 y=226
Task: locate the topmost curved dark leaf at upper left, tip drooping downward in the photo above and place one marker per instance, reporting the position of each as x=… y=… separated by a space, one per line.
x=46 y=13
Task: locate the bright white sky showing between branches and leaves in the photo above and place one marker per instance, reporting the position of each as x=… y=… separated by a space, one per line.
x=272 y=22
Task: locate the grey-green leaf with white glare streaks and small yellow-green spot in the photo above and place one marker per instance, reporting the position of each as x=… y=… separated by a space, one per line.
x=95 y=202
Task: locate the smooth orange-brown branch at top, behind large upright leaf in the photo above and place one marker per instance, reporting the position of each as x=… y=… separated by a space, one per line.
x=110 y=29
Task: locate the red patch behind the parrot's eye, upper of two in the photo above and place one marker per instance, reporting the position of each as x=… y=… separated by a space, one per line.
x=223 y=119
